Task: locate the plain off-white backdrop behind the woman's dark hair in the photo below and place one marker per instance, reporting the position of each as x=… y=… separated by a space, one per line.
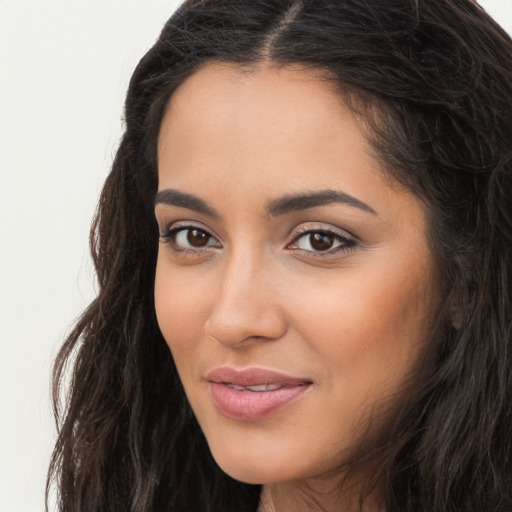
x=64 y=69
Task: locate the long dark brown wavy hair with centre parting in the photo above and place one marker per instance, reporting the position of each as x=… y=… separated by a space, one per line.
x=433 y=82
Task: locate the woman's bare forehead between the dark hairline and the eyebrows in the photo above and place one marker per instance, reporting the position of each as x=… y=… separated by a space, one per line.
x=267 y=132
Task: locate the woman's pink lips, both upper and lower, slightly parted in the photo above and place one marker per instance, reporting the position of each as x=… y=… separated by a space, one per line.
x=247 y=404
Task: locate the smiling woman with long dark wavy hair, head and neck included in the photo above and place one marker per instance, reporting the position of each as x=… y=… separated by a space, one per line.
x=310 y=208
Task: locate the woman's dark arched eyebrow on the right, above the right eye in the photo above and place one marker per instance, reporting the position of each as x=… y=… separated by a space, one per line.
x=303 y=201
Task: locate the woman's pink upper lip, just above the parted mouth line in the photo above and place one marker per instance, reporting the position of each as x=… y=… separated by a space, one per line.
x=254 y=377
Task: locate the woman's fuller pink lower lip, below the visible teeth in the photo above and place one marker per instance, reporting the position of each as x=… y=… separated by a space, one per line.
x=253 y=405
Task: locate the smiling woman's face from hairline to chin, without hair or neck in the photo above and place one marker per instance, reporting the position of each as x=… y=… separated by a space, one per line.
x=294 y=282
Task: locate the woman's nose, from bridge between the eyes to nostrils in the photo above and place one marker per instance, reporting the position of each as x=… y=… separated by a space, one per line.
x=246 y=307
